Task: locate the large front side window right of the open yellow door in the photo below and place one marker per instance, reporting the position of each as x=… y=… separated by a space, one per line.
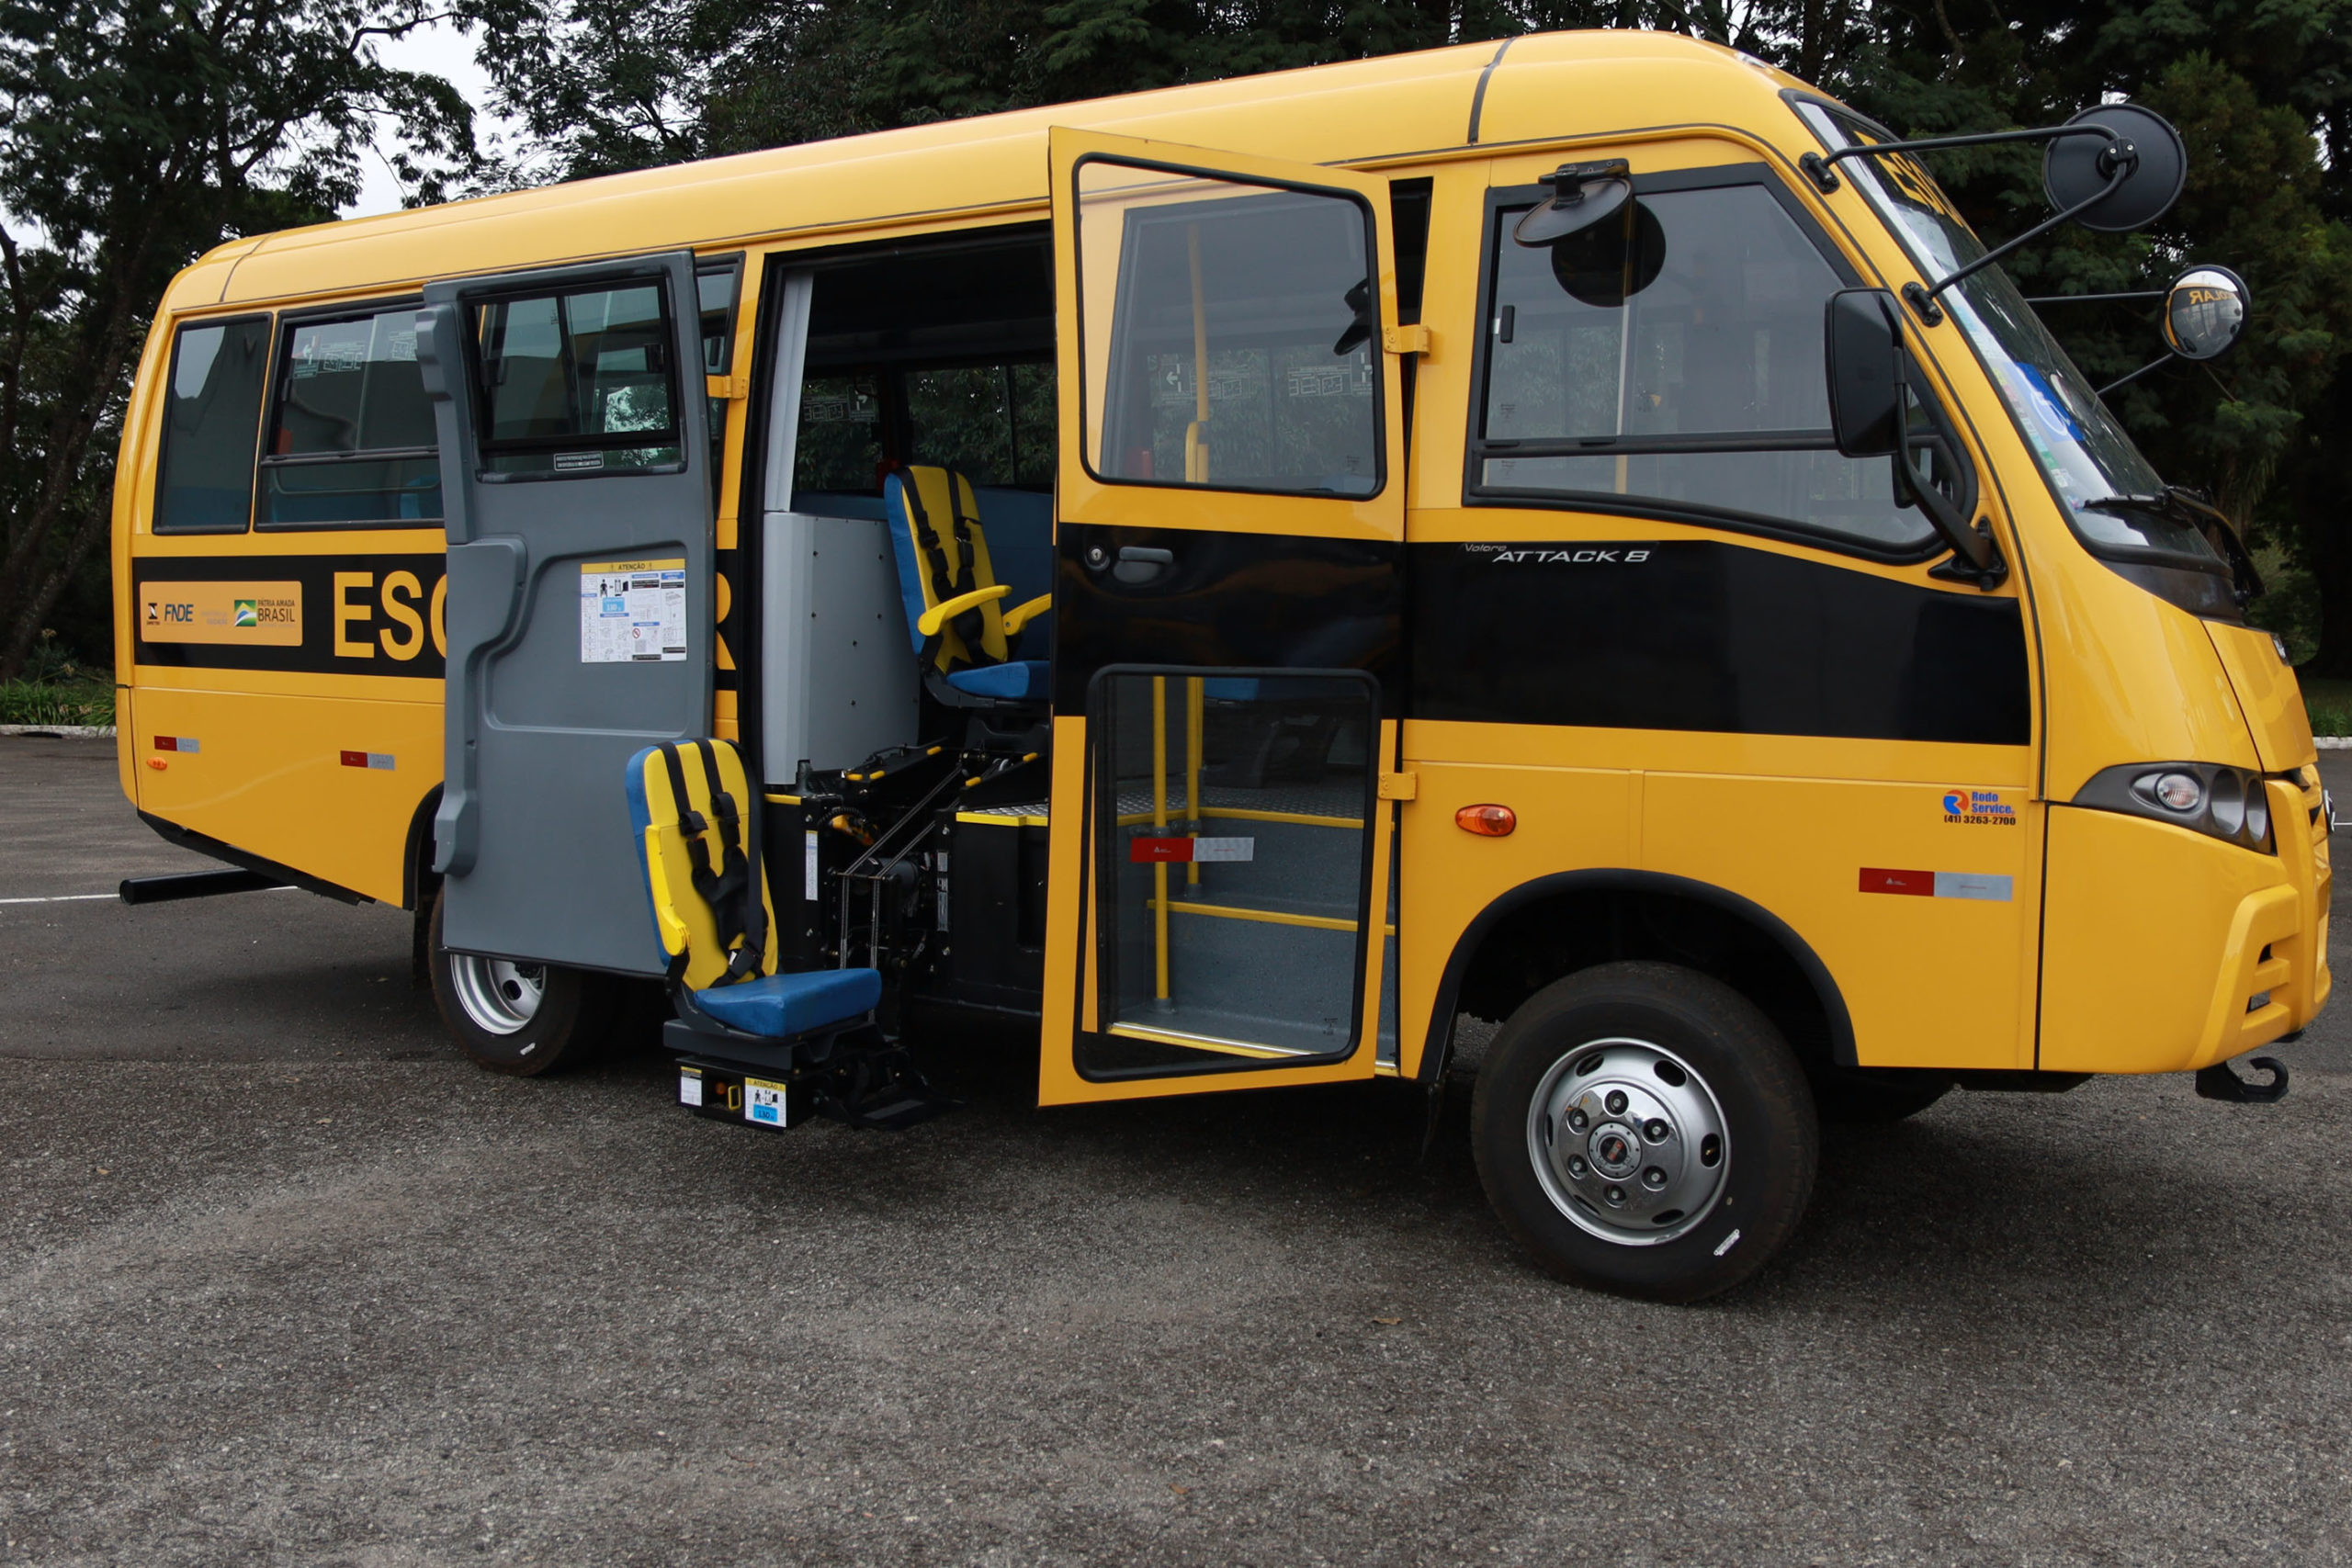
x=1676 y=354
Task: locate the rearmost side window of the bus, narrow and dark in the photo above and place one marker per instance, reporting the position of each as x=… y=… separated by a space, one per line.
x=213 y=415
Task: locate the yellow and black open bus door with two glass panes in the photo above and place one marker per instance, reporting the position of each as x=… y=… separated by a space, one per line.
x=1227 y=622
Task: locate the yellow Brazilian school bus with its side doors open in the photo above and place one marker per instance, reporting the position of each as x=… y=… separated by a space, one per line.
x=1568 y=532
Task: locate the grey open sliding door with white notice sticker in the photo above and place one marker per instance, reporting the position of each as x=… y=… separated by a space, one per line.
x=573 y=431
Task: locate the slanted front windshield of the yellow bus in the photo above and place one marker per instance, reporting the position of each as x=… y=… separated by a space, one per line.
x=2078 y=441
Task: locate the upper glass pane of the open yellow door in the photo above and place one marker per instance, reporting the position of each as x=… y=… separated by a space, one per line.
x=1236 y=333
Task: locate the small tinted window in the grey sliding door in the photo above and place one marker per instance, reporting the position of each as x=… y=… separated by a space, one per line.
x=580 y=382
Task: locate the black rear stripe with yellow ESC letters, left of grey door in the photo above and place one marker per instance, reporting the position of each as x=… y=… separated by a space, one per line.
x=356 y=619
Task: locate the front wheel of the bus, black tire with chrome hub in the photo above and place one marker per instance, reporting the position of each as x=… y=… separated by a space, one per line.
x=1612 y=1026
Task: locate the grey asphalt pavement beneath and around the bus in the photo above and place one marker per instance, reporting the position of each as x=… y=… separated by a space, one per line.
x=286 y=1280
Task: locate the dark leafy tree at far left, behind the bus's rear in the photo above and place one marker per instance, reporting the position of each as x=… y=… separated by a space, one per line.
x=138 y=135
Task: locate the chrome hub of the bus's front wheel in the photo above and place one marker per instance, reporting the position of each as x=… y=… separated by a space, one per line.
x=1629 y=1141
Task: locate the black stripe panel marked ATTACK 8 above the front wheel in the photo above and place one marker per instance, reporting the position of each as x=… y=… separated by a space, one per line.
x=1711 y=638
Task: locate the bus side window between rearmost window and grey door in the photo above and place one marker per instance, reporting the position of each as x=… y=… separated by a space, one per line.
x=352 y=438
